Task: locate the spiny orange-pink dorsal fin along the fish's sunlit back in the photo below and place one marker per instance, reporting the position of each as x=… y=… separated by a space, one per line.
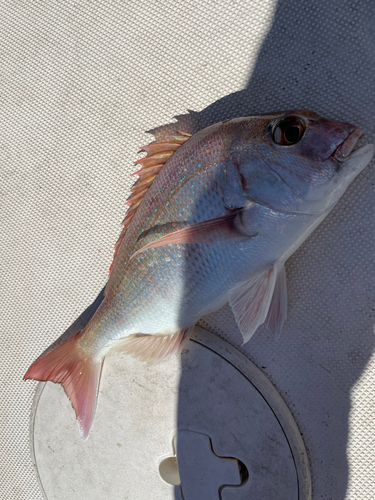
x=158 y=153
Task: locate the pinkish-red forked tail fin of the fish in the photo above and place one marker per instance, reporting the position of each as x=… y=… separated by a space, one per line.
x=79 y=375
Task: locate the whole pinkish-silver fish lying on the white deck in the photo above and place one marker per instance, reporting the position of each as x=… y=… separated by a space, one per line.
x=212 y=219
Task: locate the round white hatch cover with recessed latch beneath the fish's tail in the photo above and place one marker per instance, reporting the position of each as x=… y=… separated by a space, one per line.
x=206 y=425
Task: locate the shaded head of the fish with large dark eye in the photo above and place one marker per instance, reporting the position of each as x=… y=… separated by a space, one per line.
x=297 y=161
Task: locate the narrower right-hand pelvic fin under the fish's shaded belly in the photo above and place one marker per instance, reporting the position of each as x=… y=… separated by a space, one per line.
x=277 y=311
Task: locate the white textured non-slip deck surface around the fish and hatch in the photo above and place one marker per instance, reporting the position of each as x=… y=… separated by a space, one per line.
x=80 y=85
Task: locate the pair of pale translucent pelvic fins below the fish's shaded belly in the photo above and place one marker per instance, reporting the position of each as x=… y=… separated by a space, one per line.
x=252 y=302
